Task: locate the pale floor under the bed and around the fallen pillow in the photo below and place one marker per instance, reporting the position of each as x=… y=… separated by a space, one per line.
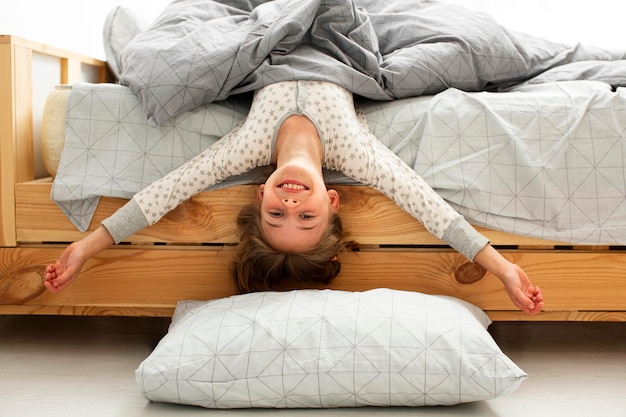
x=84 y=366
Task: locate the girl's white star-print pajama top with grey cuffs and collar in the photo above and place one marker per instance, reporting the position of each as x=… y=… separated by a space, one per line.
x=349 y=147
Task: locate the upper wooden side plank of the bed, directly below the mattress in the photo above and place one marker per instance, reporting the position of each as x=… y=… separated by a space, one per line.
x=369 y=217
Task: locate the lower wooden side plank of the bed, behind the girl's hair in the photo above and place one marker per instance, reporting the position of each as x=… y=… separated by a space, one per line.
x=136 y=281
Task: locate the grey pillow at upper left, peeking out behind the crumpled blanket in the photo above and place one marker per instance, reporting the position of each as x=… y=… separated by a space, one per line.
x=120 y=27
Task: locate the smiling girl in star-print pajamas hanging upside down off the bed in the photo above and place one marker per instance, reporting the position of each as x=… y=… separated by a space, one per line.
x=294 y=232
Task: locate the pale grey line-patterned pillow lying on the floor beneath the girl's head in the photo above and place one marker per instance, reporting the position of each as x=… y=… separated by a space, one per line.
x=327 y=348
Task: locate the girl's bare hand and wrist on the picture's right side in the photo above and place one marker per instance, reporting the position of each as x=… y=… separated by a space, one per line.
x=522 y=292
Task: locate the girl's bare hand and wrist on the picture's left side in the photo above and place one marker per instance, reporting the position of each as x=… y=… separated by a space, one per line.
x=64 y=271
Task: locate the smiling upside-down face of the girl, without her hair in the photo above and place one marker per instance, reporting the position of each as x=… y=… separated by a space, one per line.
x=295 y=208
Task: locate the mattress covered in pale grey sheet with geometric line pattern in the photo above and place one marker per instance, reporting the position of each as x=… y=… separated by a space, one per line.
x=544 y=160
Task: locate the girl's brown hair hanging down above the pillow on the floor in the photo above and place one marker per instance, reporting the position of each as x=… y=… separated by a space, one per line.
x=259 y=267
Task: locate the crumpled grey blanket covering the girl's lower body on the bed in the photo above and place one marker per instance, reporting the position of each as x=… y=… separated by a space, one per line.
x=201 y=51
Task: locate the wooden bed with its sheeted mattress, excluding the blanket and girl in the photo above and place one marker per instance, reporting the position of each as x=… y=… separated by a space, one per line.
x=186 y=255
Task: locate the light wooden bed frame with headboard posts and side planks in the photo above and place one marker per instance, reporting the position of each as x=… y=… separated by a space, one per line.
x=186 y=255
